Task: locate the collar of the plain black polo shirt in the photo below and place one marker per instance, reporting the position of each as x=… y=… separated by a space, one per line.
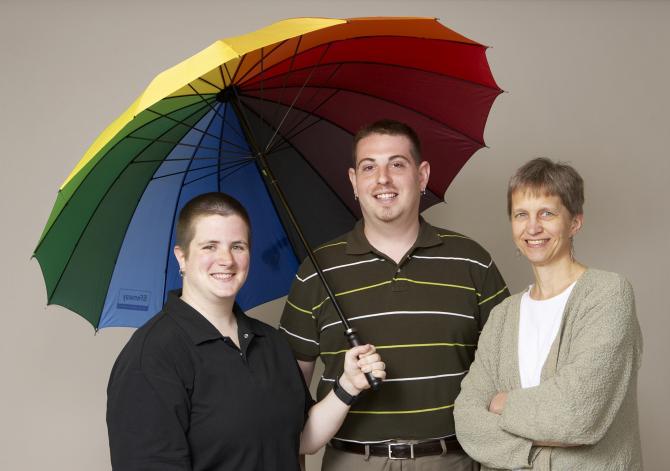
x=197 y=327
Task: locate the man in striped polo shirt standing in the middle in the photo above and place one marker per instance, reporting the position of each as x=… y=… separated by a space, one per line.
x=418 y=293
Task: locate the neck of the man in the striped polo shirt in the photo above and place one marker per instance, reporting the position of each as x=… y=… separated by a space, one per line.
x=392 y=239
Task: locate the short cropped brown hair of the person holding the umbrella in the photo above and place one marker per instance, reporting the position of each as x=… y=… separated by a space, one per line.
x=207 y=204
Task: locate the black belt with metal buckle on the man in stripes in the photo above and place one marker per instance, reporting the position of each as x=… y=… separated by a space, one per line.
x=399 y=451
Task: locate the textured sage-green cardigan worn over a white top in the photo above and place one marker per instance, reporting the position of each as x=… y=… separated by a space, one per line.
x=588 y=392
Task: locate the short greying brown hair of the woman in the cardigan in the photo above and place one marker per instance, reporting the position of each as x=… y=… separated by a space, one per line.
x=542 y=175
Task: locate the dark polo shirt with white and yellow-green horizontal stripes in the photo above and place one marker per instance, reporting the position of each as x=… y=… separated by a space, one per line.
x=423 y=314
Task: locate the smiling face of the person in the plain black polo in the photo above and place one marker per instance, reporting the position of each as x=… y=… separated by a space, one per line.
x=216 y=263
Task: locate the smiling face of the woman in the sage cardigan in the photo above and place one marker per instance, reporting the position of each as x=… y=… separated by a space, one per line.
x=542 y=227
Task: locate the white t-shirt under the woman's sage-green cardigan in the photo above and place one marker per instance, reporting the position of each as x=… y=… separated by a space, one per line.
x=538 y=325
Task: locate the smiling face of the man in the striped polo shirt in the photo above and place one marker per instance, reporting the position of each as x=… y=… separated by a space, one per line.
x=387 y=179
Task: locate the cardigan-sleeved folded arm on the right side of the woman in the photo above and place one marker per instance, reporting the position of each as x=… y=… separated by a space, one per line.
x=578 y=404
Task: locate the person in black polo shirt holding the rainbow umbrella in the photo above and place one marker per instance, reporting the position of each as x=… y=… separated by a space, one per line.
x=202 y=386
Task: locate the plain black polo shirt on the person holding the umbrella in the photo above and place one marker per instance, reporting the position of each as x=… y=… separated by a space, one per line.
x=183 y=397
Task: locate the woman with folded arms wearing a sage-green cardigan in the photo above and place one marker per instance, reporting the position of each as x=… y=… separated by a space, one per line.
x=553 y=385
